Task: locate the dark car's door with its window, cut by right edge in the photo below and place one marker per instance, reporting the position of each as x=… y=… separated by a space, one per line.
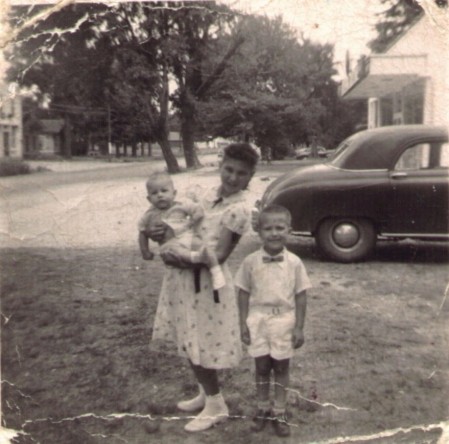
x=420 y=191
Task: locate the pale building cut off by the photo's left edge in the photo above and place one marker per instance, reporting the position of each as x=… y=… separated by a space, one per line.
x=11 y=144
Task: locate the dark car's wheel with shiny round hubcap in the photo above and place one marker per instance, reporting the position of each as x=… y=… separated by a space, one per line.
x=346 y=240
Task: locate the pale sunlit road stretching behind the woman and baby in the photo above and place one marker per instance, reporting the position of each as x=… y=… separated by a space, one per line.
x=84 y=209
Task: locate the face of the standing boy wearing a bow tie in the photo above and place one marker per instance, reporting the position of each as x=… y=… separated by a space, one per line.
x=274 y=230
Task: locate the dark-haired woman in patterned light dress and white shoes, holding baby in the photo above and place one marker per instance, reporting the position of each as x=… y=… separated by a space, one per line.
x=205 y=325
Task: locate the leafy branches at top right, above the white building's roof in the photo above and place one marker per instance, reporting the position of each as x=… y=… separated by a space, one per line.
x=396 y=18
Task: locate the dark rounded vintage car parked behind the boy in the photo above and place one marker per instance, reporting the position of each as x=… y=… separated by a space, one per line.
x=384 y=183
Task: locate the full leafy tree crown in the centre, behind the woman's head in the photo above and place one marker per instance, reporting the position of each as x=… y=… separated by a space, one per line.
x=274 y=89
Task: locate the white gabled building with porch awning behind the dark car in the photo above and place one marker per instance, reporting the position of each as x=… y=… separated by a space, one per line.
x=408 y=83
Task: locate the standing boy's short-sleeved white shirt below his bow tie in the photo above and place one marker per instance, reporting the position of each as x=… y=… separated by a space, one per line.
x=273 y=283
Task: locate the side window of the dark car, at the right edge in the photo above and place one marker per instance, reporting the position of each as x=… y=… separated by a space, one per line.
x=424 y=156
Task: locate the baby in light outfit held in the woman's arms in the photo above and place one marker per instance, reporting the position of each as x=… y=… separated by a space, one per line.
x=182 y=221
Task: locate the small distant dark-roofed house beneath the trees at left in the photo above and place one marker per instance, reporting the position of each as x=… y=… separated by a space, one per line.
x=46 y=137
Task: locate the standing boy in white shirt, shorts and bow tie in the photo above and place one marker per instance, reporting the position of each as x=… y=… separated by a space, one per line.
x=272 y=284
